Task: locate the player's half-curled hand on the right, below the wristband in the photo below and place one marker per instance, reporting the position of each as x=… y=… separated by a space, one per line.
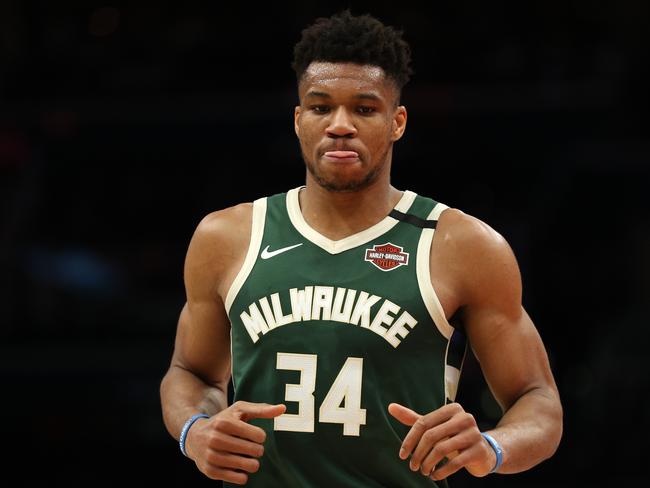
x=448 y=432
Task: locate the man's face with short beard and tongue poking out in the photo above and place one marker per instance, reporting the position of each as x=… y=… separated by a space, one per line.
x=347 y=121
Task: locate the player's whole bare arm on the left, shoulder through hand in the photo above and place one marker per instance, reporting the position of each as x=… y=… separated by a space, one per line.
x=225 y=446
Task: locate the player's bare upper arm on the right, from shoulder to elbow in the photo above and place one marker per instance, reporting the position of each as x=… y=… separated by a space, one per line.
x=503 y=336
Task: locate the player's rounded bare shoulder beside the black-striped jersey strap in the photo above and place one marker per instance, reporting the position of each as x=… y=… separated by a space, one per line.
x=479 y=256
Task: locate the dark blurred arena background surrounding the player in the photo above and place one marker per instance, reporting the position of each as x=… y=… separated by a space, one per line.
x=123 y=123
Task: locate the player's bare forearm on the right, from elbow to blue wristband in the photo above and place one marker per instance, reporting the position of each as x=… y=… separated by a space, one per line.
x=530 y=430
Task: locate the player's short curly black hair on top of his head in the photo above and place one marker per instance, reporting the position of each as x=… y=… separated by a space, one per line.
x=361 y=39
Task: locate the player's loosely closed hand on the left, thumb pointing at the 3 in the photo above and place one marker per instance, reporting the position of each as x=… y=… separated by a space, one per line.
x=224 y=447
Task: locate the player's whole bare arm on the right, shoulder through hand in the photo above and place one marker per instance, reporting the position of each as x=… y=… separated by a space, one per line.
x=481 y=281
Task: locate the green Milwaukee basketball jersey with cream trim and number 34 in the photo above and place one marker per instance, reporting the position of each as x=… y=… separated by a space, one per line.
x=337 y=330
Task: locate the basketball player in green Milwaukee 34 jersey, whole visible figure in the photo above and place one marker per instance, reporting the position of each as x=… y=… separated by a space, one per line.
x=341 y=309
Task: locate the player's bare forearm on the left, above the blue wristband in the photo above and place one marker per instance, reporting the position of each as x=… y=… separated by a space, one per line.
x=183 y=394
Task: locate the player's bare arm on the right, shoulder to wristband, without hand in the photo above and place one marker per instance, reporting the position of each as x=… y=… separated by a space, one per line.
x=510 y=351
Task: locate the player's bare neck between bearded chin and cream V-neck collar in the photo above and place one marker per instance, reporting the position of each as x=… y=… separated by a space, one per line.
x=337 y=215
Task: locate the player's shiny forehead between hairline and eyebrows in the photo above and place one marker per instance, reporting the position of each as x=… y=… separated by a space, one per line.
x=344 y=76
